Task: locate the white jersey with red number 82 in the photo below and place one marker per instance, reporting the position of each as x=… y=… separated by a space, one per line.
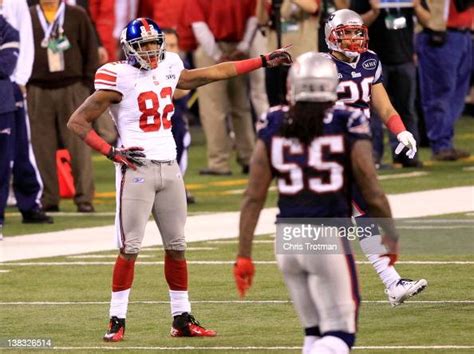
x=143 y=117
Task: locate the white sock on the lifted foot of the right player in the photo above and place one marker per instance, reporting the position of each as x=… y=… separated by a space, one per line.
x=373 y=248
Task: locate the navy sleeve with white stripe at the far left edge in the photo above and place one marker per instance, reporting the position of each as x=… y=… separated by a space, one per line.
x=9 y=48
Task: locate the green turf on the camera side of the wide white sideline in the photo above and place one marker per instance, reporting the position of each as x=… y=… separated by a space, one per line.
x=66 y=299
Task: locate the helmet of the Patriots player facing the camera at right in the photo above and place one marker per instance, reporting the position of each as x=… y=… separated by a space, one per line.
x=345 y=32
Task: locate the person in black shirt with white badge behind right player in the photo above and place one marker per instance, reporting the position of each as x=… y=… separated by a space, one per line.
x=391 y=33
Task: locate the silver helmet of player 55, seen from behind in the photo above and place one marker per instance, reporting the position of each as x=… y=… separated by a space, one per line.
x=312 y=78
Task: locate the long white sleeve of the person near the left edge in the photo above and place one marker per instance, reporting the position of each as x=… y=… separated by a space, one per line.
x=27 y=47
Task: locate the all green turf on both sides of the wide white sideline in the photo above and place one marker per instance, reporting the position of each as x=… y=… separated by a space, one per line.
x=66 y=298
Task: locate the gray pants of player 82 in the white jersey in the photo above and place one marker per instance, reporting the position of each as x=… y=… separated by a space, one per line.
x=158 y=188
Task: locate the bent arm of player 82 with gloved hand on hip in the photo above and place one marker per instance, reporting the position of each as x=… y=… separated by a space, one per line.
x=81 y=124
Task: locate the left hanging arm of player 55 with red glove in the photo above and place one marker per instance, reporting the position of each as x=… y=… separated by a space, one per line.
x=252 y=203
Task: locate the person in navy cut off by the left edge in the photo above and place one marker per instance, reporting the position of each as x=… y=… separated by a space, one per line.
x=9 y=48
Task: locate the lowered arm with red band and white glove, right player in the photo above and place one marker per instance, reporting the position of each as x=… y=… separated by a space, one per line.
x=384 y=108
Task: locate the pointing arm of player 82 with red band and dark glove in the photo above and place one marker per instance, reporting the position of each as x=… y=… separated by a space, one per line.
x=190 y=79
